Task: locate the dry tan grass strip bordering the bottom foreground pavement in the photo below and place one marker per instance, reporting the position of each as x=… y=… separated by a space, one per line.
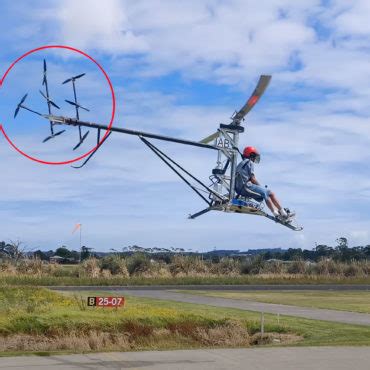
x=232 y=334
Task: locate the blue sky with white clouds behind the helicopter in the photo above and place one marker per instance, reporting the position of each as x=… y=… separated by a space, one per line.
x=180 y=68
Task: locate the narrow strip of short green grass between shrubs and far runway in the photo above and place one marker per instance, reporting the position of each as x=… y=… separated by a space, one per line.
x=34 y=280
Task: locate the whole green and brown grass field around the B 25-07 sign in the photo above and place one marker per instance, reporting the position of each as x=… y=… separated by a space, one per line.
x=38 y=320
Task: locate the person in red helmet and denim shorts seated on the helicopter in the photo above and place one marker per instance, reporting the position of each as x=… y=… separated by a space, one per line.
x=247 y=185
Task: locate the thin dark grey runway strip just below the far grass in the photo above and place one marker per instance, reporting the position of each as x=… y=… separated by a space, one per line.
x=244 y=287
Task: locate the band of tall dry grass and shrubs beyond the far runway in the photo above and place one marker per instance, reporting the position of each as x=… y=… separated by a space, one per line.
x=112 y=270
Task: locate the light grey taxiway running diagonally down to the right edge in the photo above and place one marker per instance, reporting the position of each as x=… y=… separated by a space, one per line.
x=309 y=313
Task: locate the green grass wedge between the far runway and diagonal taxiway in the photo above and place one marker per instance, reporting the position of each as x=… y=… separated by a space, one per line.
x=345 y=301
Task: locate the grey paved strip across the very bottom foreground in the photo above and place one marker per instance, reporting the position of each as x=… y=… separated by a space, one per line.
x=308 y=358
